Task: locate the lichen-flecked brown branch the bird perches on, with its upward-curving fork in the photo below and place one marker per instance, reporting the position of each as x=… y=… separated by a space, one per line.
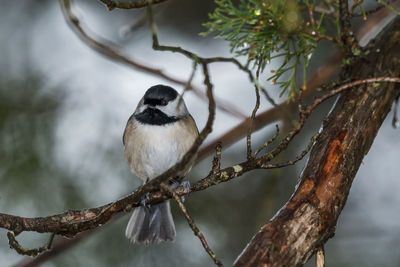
x=75 y=221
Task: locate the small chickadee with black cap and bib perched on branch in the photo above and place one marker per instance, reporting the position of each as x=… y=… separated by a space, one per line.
x=156 y=137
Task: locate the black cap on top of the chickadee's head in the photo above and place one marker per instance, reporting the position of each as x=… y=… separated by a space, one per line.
x=159 y=95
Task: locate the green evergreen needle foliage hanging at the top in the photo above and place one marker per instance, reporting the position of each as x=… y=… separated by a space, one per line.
x=265 y=30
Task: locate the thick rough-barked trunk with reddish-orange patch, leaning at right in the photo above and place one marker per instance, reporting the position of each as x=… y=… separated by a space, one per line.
x=309 y=218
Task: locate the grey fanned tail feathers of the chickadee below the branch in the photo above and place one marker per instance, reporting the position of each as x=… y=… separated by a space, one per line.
x=151 y=225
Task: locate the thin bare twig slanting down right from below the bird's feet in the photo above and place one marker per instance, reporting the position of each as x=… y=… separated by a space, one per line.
x=193 y=225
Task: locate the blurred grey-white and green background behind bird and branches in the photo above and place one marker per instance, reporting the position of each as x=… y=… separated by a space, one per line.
x=63 y=109
